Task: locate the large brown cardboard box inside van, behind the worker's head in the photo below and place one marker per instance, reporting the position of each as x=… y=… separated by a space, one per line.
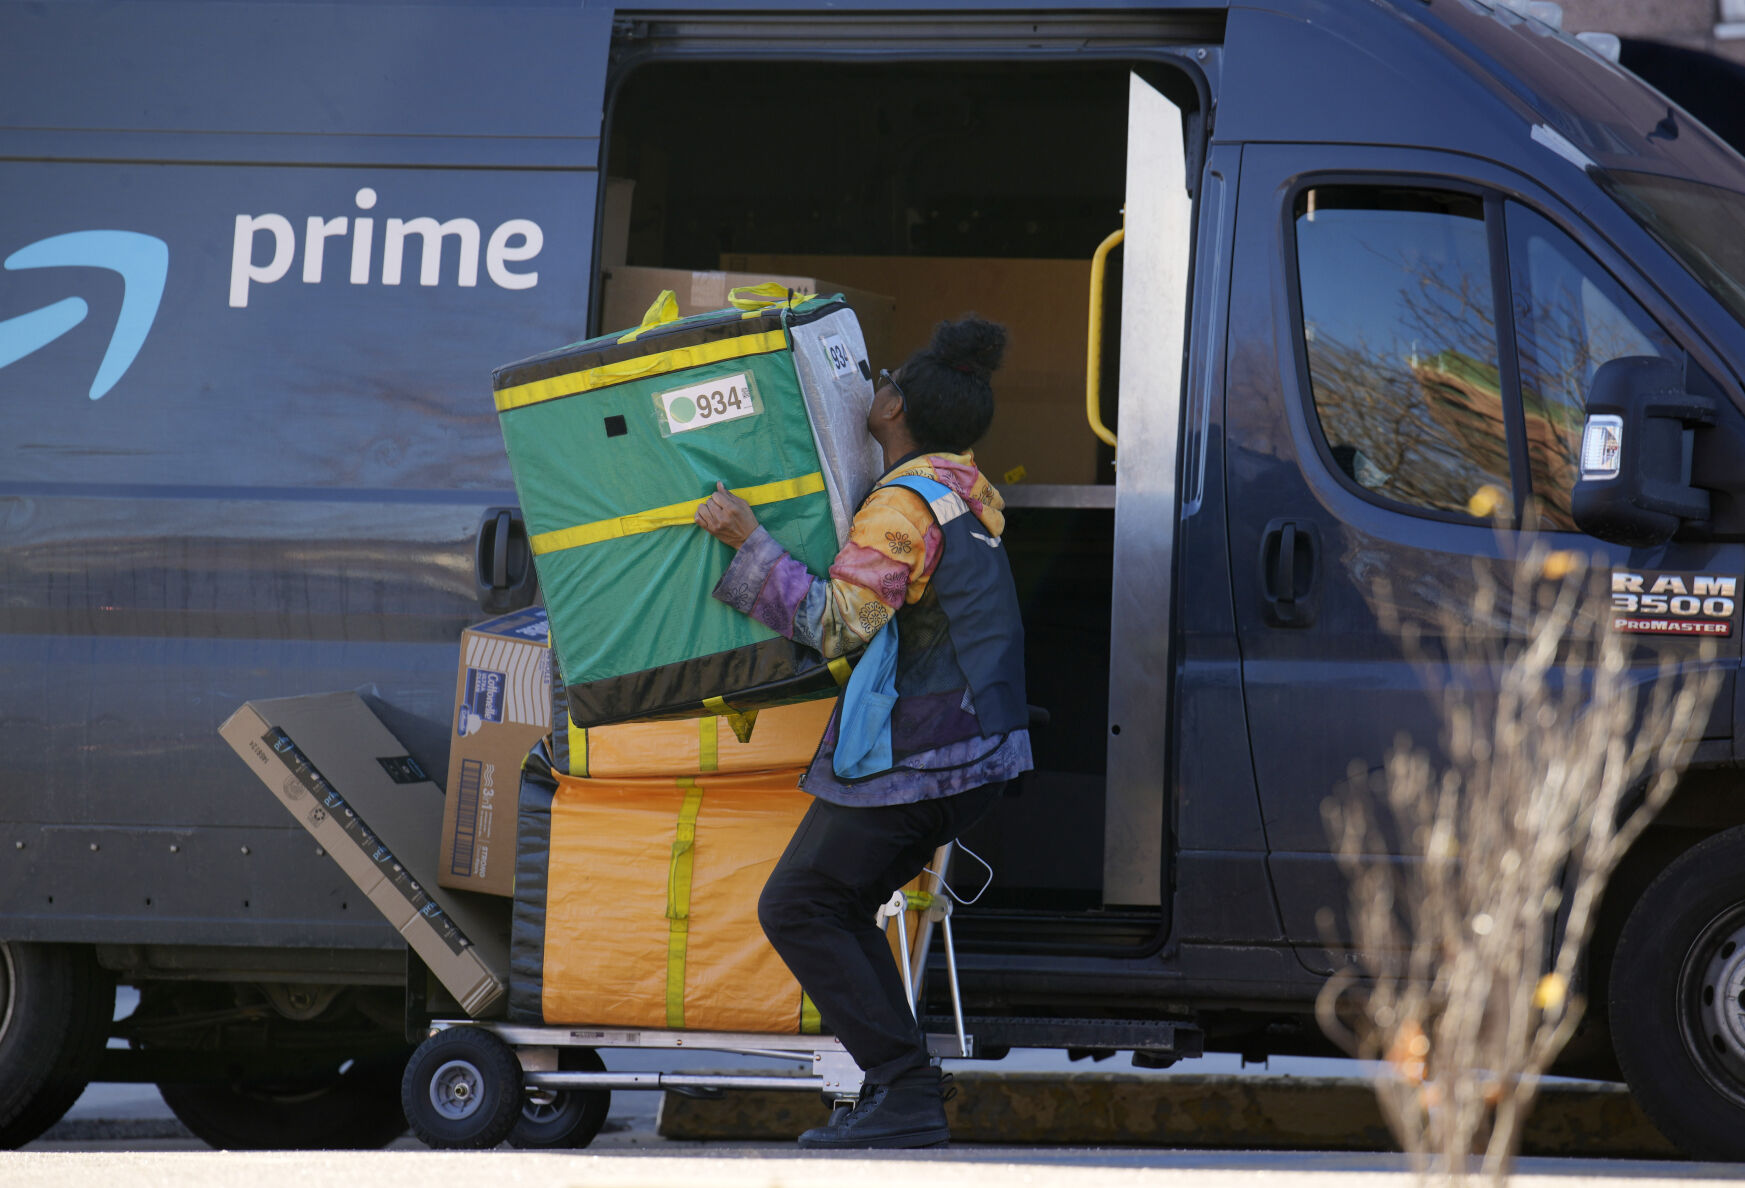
x=1039 y=432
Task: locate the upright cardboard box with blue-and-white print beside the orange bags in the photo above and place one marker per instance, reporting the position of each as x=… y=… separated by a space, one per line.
x=502 y=709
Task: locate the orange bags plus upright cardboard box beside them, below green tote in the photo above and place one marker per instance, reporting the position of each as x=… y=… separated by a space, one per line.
x=643 y=845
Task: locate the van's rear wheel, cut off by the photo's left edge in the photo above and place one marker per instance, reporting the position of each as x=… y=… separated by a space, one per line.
x=57 y=1006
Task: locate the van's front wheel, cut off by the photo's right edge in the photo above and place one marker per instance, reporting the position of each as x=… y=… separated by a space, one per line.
x=1678 y=1000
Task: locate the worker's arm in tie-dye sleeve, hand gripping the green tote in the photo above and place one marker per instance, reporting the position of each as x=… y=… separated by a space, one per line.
x=891 y=554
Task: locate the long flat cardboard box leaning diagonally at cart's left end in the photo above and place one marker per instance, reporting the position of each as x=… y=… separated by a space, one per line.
x=376 y=812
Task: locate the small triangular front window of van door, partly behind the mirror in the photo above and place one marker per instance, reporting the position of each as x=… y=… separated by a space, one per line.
x=1570 y=318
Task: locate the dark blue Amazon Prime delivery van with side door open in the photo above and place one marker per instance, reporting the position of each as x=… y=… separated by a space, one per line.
x=257 y=263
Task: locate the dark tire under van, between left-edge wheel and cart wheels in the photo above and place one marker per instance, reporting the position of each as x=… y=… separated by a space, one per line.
x=353 y=1110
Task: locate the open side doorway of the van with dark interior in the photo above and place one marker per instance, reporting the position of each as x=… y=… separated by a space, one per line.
x=947 y=189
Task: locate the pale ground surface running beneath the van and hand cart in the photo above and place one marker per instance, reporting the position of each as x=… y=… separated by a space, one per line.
x=125 y=1135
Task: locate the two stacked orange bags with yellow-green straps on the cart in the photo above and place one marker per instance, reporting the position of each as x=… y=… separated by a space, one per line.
x=643 y=852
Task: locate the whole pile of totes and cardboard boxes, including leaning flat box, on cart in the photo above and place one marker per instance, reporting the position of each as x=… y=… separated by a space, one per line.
x=631 y=852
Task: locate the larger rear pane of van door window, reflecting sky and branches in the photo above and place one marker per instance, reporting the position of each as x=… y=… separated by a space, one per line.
x=1402 y=343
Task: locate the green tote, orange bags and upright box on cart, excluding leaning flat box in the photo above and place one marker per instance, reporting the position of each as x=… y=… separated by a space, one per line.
x=645 y=845
